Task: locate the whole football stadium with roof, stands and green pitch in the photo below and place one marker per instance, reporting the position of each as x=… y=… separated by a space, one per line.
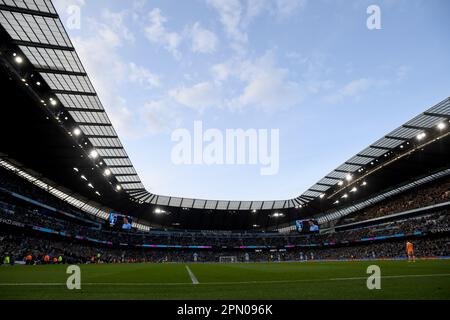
x=72 y=203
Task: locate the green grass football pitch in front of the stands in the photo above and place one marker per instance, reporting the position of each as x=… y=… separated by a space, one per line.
x=425 y=279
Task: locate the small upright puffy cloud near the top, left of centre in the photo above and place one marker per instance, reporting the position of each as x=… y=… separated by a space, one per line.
x=156 y=32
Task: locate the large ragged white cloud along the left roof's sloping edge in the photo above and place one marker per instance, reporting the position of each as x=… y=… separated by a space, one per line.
x=110 y=71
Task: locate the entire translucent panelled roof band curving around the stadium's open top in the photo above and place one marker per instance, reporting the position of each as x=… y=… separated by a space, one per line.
x=35 y=28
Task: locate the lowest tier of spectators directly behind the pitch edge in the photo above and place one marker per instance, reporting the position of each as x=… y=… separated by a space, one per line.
x=17 y=248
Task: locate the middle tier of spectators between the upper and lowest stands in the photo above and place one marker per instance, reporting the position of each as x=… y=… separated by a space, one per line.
x=36 y=217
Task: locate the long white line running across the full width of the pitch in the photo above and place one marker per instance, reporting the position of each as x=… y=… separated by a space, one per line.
x=38 y=284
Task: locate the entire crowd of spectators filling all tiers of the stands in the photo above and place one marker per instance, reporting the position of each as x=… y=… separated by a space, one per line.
x=331 y=245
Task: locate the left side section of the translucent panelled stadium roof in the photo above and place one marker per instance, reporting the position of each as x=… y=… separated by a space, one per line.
x=36 y=29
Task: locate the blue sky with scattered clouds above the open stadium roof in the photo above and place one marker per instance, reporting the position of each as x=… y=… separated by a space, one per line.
x=311 y=69
